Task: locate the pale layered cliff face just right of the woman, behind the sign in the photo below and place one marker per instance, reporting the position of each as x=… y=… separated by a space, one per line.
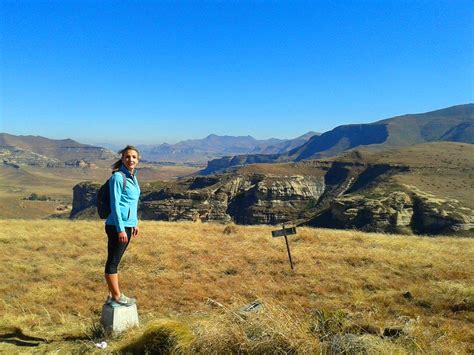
x=245 y=199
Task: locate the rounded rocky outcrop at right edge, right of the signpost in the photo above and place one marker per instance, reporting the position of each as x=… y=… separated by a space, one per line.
x=397 y=212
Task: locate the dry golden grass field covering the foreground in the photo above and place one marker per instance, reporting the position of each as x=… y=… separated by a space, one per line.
x=348 y=287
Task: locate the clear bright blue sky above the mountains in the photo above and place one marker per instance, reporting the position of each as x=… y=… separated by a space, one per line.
x=163 y=71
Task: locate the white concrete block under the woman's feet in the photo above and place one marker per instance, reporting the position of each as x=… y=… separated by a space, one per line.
x=117 y=319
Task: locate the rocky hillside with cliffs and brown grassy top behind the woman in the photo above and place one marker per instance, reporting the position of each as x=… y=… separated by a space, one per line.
x=421 y=189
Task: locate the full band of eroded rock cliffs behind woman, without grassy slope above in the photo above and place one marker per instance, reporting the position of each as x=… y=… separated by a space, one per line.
x=338 y=195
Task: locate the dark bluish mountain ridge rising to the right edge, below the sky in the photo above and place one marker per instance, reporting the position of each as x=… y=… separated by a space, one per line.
x=450 y=124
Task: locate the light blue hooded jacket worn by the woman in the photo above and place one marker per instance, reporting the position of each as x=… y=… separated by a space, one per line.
x=123 y=203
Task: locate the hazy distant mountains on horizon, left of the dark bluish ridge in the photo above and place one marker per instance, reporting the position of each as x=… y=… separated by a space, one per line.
x=41 y=151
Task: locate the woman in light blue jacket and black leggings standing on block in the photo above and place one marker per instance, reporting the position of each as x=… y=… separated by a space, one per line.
x=122 y=223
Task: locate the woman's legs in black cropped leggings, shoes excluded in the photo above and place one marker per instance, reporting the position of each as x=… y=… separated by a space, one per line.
x=115 y=252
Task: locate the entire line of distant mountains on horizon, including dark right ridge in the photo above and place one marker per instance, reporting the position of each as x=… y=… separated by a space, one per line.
x=454 y=124
